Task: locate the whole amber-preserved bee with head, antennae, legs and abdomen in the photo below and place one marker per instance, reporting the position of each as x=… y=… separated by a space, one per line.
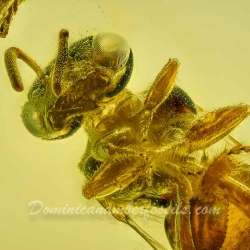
x=151 y=150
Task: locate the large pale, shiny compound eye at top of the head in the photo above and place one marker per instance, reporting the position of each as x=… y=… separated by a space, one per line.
x=110 y=50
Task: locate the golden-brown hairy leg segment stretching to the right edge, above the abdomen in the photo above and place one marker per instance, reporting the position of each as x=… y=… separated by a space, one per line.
x=214 y=126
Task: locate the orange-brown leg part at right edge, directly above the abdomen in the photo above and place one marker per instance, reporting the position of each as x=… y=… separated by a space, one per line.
x=225 y=173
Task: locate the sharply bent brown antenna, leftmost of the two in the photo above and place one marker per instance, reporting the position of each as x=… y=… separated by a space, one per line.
x=10 y=57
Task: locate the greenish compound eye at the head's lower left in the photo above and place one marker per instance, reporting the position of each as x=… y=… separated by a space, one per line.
x=32 y=120
